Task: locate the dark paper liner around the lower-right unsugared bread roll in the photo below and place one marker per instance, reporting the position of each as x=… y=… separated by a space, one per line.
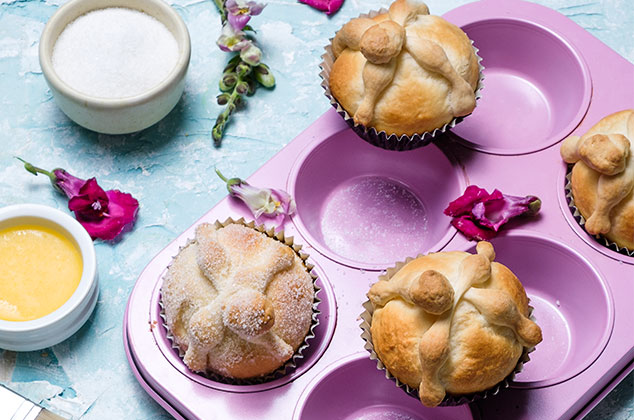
x=449 y=400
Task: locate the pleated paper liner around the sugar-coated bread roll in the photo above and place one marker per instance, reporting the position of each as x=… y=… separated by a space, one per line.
x=298 y=355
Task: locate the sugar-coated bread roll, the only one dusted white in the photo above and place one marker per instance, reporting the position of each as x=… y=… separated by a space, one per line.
x=237 y=302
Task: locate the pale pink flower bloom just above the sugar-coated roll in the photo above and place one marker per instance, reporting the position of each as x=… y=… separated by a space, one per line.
x=269 y=202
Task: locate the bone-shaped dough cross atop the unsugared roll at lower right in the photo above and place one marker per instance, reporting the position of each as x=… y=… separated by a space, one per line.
x=443 y=297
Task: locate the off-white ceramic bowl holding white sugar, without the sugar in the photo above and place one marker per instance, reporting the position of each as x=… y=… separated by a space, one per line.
x=125 y=115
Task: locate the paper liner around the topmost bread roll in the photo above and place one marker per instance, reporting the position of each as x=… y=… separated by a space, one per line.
x=381 y=138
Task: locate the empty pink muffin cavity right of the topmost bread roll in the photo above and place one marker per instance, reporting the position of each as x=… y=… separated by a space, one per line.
x=536 y=88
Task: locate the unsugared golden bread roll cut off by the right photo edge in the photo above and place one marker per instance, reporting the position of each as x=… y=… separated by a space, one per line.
x=603 y=177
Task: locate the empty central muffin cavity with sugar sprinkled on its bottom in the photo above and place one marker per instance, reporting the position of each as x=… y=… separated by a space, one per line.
x=366 y=207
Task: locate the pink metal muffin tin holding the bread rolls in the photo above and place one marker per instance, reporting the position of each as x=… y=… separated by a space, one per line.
x=360 y=209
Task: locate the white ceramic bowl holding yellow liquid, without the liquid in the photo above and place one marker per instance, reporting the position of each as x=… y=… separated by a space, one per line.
x=67 y=319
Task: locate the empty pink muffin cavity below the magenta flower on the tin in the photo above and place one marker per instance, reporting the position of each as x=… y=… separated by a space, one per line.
x=561 y=285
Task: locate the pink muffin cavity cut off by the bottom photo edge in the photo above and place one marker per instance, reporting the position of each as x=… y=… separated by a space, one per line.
x=342 y=391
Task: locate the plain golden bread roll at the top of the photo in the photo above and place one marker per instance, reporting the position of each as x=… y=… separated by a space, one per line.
x=405 y=71
